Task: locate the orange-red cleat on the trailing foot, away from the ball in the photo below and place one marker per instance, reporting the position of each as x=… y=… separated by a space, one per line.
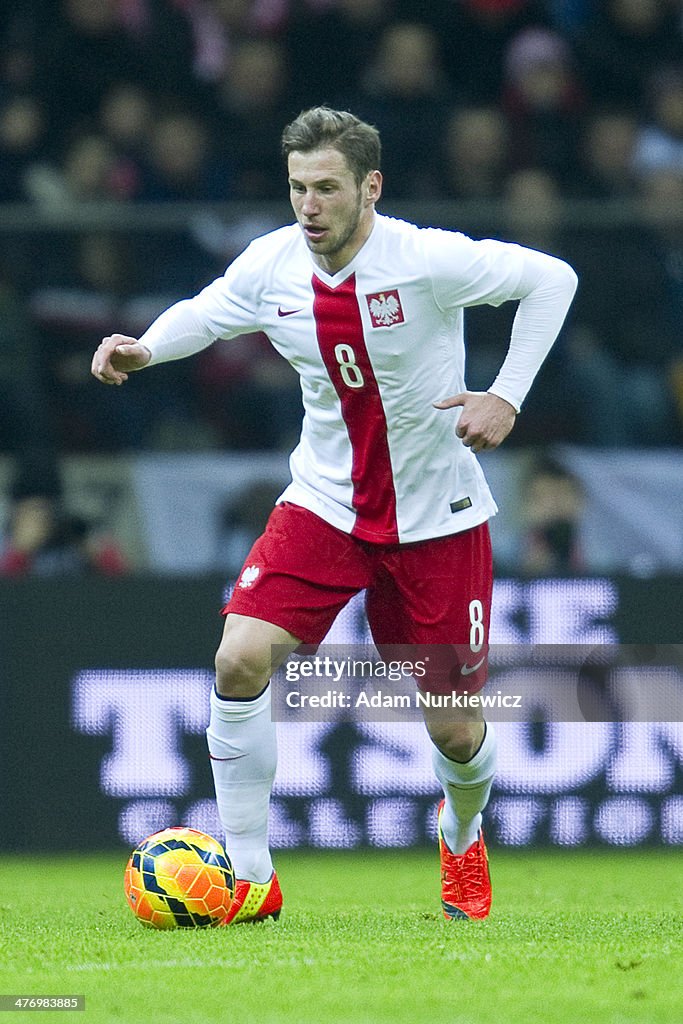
x=465 y=879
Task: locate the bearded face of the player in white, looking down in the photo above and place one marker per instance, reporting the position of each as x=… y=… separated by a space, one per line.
x=334 y=212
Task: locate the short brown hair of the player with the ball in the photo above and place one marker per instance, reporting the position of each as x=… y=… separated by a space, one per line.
x=322 y=127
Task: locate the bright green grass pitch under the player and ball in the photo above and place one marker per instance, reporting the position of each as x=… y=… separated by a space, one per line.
x=574 y=938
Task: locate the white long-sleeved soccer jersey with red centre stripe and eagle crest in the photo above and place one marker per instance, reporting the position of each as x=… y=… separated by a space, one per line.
x=375 y=346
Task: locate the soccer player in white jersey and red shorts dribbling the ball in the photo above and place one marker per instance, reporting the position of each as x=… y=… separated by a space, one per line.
x=387 y=495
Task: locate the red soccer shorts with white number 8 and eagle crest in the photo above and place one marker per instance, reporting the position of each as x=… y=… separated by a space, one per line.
x=302 y=573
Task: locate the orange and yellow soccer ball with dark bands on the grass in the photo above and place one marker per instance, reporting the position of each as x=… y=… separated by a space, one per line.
x=180 y=878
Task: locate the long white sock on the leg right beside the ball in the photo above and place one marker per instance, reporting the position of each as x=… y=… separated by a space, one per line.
x=244 y=754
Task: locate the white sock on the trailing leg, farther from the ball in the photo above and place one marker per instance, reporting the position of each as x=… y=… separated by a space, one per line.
x=466 y=788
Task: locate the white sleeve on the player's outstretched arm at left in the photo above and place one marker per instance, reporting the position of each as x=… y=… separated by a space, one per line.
x=226 y=309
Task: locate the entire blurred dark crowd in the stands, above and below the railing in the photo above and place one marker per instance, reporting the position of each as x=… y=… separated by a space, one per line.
x=531 y=104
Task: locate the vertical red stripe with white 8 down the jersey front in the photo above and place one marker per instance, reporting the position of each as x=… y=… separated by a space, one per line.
x=343 y=345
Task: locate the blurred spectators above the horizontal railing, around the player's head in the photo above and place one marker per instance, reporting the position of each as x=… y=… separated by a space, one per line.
x=185 y=100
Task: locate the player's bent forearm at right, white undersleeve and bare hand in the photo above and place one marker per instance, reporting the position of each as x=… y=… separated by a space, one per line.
x=545 y=291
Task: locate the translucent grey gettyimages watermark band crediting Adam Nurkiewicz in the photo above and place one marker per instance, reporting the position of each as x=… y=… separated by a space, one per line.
x=515 y=684
